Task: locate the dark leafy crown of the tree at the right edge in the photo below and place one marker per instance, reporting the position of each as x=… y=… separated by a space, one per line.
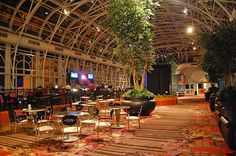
x=220 y=46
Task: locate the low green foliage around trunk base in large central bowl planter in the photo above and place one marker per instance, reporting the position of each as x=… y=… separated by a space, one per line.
x=138 y=93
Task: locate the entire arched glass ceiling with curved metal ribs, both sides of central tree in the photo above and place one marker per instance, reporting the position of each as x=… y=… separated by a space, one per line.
x=75 y=24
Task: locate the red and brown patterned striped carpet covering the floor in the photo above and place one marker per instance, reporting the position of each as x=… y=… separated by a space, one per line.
x=187 y=129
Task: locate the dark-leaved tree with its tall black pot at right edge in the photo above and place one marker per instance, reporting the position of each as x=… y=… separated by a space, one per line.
x=220 y=59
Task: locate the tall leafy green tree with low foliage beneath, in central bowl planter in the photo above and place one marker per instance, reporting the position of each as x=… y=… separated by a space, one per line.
x=131 y=23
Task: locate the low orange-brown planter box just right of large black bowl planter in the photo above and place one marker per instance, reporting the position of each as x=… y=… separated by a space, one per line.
x=162 y=101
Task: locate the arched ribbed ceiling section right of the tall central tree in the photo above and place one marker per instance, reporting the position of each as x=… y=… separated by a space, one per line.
x=174 y=16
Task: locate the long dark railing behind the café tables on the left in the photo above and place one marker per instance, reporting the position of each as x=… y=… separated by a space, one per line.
x=43 y=97
